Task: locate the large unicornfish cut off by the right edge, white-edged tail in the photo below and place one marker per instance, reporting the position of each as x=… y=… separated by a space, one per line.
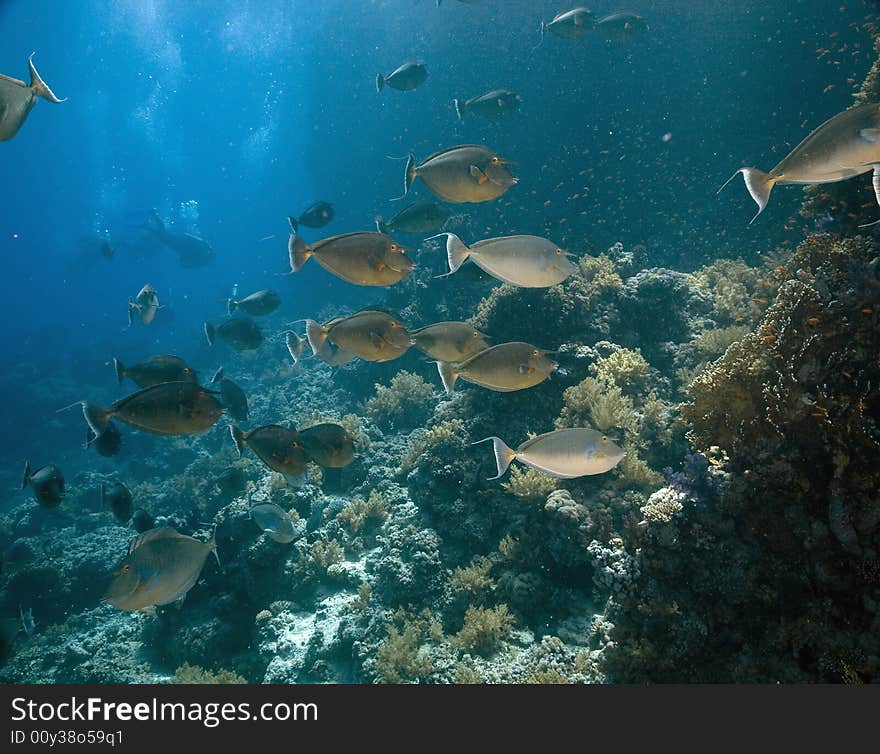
x=844 y=146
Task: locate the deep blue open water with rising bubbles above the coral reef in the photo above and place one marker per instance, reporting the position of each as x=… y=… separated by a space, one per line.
x=250 y=111
